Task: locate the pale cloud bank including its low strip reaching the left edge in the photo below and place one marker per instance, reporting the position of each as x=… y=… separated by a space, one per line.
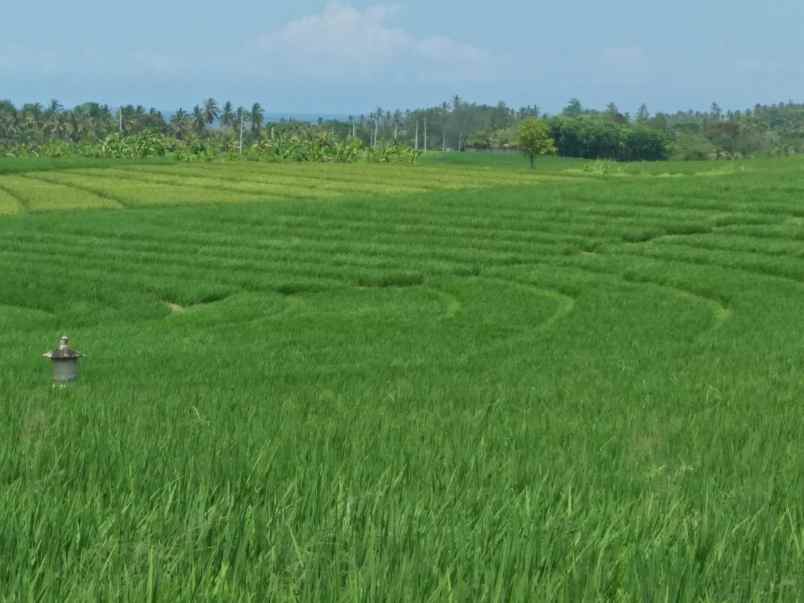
x=342 y=43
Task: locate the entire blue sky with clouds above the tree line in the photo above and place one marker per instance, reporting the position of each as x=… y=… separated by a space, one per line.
x=351 y=56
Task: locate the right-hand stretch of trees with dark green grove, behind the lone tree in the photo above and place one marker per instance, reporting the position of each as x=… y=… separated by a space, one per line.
x=764 y=130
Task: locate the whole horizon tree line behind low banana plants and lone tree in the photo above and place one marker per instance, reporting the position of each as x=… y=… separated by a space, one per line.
x=455 y=125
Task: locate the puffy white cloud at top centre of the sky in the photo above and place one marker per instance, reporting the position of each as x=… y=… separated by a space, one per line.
x=346 y=41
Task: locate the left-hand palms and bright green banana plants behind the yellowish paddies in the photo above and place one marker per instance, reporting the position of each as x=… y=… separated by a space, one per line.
x=94 y=131
